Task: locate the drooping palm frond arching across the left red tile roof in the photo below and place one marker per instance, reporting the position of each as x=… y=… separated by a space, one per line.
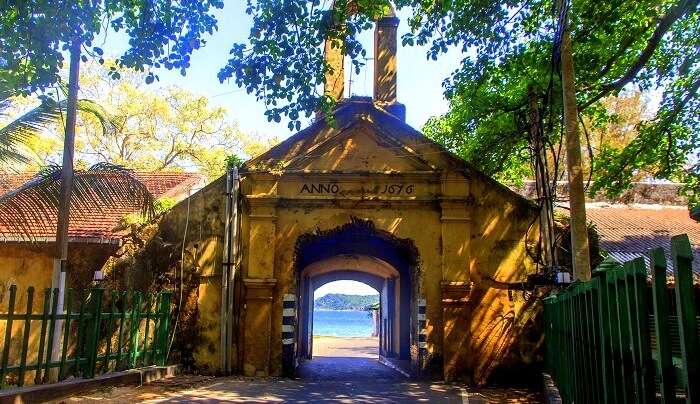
x=31 y=211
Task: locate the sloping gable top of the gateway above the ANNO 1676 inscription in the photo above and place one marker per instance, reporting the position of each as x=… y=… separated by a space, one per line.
x=350 y=113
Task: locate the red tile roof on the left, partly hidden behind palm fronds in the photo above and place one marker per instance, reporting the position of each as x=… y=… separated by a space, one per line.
x=100 y=225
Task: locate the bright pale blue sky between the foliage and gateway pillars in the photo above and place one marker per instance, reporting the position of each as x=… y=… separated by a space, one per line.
x=419 y=80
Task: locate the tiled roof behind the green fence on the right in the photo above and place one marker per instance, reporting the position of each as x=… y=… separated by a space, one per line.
x=627 y=232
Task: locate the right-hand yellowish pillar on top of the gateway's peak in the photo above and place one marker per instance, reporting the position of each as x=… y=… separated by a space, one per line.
x=385 y=45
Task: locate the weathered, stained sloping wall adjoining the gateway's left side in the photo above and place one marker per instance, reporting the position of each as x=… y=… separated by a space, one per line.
x=204 y=221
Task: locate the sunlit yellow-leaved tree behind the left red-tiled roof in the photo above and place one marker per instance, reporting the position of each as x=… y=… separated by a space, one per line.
x=169 y=128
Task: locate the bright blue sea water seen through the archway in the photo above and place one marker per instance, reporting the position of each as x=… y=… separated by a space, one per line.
x=345 y=323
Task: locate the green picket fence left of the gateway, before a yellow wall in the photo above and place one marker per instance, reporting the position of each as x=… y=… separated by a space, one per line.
x=94 y=334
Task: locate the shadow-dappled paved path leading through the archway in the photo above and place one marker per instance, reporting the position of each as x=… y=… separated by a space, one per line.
x=359 y=378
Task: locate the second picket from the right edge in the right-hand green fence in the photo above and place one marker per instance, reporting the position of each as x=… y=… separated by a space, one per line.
x=664 y=363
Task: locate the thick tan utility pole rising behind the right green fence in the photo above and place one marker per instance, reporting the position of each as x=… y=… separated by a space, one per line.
x=580 y=256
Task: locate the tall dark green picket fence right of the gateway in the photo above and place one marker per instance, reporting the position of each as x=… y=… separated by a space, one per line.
x=616 y=339
